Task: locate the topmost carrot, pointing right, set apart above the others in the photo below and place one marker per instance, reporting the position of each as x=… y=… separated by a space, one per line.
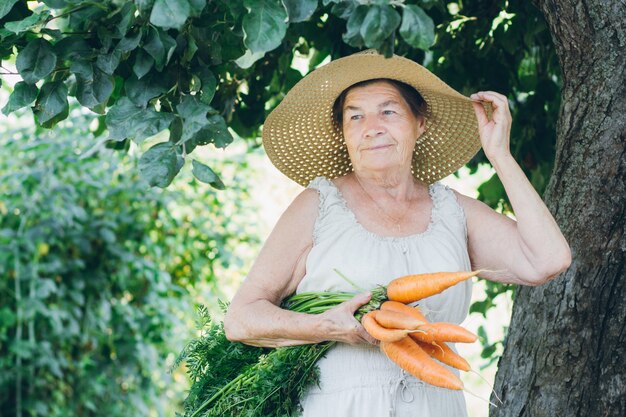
x=412 y=288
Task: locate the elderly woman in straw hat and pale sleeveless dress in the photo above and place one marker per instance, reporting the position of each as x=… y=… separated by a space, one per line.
x=371 y=137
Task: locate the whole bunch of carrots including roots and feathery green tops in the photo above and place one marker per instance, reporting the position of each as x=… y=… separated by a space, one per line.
x=269 y=382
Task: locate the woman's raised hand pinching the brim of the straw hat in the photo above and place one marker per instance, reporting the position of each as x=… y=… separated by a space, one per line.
x=495 y=133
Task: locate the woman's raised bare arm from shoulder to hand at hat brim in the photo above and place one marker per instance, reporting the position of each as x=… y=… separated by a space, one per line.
x=528 y=251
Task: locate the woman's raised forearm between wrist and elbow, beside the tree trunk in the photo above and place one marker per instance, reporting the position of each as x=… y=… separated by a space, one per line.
x=540 y=237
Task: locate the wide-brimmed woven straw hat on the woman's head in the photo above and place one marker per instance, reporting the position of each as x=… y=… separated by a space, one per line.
x=302 y=141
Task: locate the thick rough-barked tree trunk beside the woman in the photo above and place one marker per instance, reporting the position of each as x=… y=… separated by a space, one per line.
x=565 y=354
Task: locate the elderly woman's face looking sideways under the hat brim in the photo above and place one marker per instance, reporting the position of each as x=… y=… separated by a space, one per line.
x=379 y=128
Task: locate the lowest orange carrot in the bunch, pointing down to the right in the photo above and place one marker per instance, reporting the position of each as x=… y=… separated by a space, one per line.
x=409 y=356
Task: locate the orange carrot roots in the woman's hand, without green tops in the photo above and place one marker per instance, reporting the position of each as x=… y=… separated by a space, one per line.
x=409 y=340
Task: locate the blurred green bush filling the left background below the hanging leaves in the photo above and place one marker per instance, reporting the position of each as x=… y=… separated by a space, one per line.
x=96 y=268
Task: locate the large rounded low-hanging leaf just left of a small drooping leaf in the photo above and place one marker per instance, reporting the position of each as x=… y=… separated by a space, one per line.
x=160 y=164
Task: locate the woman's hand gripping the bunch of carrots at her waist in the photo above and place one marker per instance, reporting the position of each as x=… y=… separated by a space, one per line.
x=341 y=324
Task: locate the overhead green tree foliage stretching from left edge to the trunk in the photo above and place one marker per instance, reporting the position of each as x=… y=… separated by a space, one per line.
x=194 y=67
